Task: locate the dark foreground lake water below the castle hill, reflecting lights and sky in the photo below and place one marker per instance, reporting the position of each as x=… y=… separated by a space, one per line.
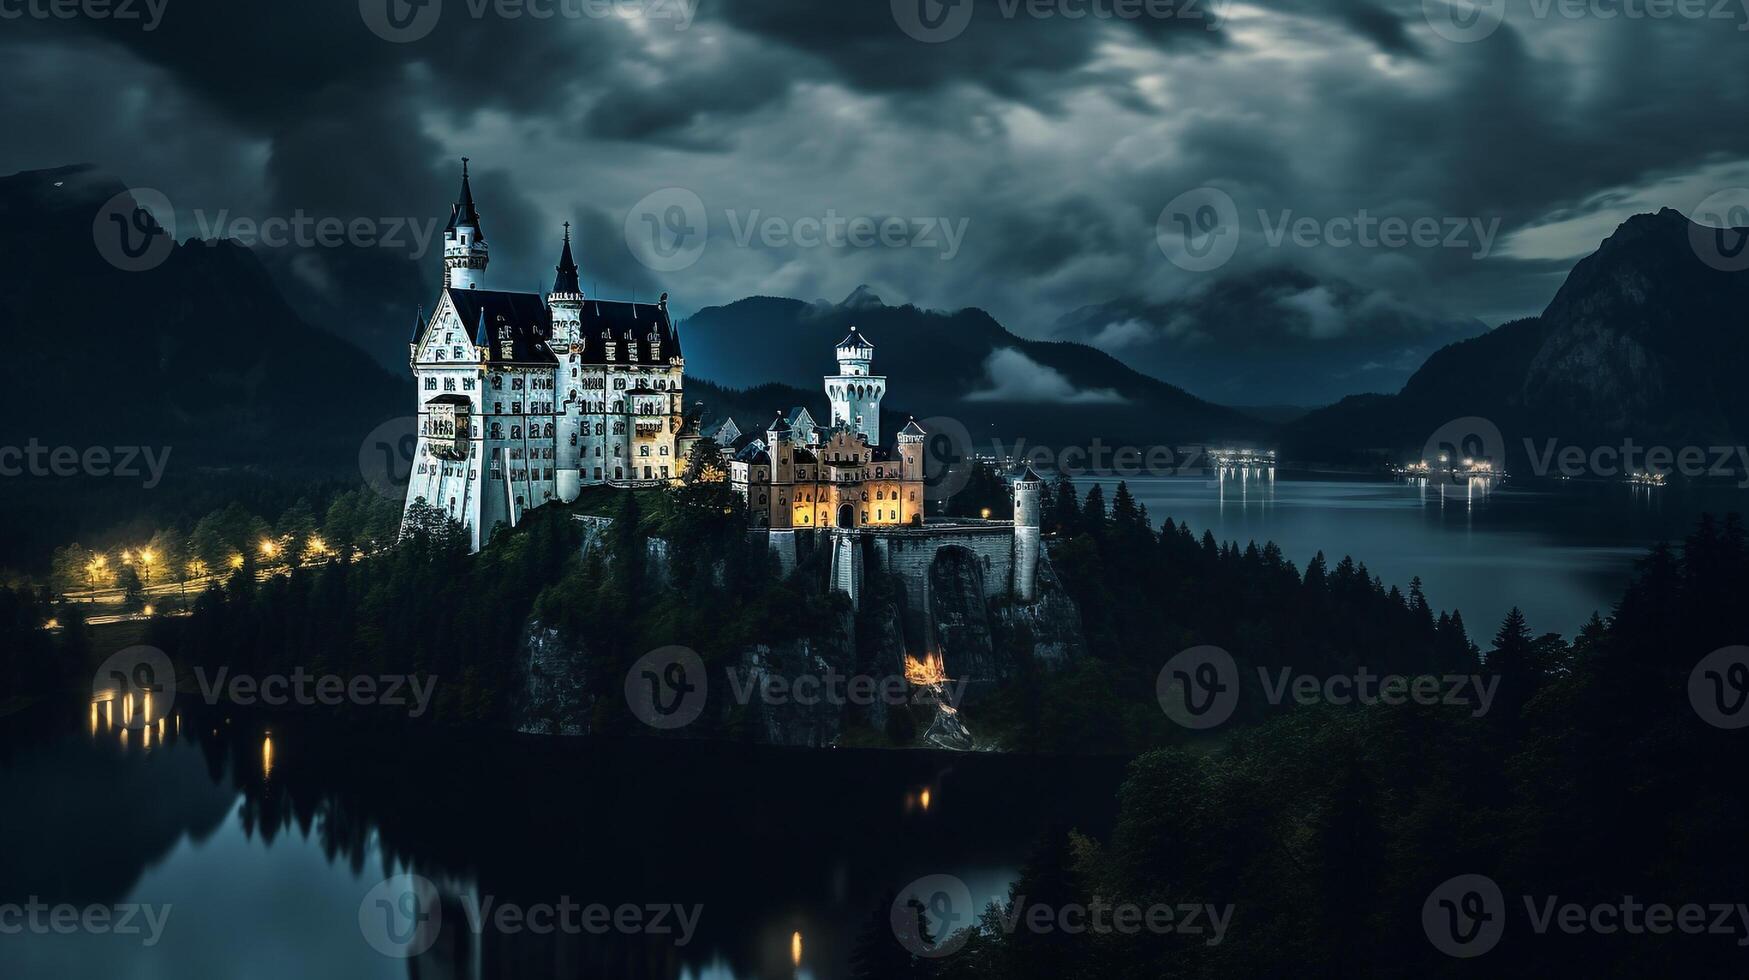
x=270 y=844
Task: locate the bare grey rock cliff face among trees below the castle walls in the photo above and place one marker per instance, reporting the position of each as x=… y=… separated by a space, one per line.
x=784 y=694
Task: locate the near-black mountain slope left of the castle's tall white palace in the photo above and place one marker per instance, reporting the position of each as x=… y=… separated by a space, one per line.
x=199 y=353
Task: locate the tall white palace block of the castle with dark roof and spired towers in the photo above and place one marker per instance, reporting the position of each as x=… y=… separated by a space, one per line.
x=527 y=398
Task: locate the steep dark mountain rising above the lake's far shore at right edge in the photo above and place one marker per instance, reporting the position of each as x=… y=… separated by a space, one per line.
x=1645 y=340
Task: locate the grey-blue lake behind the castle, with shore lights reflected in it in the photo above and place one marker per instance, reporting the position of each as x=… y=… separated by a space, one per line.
x=1557 y=550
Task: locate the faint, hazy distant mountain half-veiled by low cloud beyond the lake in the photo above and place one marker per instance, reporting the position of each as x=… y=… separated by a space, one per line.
x=1271 y=337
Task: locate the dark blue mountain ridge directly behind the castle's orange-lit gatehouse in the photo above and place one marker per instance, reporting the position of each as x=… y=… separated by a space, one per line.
x=961 y=365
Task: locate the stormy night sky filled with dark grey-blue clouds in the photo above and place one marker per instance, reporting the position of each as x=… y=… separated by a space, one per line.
x=1052 y=143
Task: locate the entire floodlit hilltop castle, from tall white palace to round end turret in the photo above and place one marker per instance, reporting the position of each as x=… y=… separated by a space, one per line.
x=526 y=400
